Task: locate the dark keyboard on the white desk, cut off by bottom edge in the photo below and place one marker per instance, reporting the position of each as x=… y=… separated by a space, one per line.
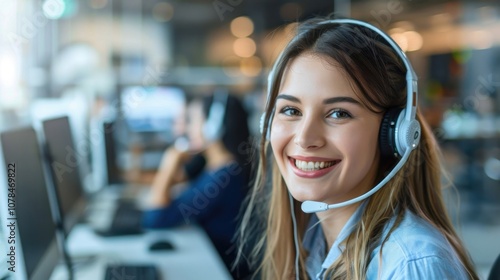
x=131 y=272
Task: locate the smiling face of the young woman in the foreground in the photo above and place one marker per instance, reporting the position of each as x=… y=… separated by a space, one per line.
x=324 y=140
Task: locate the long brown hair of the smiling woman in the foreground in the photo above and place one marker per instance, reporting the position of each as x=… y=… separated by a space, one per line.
x=379 y=75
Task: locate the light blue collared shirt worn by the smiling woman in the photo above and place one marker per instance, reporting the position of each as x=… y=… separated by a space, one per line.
x=414 y=250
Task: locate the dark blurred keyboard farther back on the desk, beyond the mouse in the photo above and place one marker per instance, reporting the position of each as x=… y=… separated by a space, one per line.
x=126 y=221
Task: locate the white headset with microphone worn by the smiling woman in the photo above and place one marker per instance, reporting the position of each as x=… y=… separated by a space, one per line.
x=399 y=132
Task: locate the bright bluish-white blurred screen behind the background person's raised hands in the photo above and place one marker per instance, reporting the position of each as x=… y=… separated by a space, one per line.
x=151 y=109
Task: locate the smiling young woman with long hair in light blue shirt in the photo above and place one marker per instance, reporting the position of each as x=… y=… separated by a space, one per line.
x=331 y=90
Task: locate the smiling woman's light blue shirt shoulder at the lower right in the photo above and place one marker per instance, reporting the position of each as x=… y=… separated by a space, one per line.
x=415 y=248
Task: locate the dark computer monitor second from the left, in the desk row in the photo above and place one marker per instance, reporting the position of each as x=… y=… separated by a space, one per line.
x=63 y=160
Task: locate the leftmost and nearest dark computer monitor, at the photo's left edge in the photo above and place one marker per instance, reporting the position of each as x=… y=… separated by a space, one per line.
x=36 y=244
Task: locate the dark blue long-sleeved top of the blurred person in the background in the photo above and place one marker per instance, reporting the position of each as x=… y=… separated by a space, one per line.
x=212 y=200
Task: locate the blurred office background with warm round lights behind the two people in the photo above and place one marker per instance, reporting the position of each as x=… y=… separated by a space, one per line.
x=118 y=62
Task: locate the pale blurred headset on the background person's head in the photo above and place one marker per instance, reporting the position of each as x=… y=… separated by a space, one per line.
x=213 y=129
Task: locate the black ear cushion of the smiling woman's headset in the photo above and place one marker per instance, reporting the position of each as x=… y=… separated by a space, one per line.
x=387 y=133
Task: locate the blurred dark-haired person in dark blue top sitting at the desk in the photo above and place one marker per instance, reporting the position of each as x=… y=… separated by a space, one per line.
x=215 y=179
